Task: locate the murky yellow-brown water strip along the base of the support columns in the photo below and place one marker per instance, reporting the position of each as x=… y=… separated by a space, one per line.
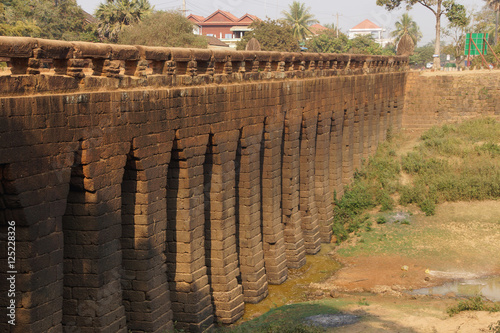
x=317 y=269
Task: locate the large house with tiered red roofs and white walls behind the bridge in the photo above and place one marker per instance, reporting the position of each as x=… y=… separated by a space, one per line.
x=223 y=25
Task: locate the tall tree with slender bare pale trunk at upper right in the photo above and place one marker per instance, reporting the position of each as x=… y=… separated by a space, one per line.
x=453 y=11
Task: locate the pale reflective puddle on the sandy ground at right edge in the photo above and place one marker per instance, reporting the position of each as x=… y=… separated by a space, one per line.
x=489 y=287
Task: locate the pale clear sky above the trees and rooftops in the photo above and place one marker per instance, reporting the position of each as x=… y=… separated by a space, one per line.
x=350 y=12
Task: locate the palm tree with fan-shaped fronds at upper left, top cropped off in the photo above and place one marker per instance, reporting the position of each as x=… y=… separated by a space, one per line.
x=113 y=15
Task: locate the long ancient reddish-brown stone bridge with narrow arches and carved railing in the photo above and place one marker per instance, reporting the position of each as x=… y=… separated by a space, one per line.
x=151 y=186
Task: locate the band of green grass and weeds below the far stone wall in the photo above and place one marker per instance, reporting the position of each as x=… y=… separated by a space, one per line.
x=456 y=162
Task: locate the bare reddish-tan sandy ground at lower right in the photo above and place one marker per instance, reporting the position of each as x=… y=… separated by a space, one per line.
x=378 y=283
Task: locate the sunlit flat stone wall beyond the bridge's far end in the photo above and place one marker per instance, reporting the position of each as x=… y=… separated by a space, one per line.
x=437 y=98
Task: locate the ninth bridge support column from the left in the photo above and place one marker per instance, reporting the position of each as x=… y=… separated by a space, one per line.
x=308 y=209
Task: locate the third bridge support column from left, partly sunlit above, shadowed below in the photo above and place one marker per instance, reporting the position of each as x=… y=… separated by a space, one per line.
x=146 y=296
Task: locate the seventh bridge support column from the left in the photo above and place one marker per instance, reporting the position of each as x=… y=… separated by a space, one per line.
x=272 y=228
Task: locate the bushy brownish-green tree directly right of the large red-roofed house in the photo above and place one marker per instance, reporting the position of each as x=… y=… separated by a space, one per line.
x=272 y=35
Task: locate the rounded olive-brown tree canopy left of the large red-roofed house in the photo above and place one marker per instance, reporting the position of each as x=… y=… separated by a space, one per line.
x=162 y=28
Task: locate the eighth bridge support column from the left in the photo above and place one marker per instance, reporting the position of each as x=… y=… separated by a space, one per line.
x=294 y=237
